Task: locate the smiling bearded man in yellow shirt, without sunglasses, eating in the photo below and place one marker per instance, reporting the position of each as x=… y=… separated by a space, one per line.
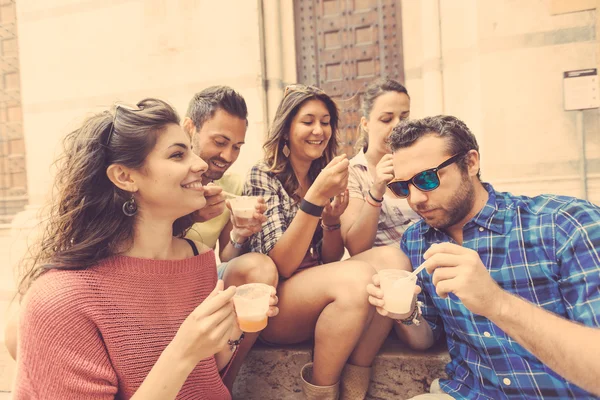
x=216 y=121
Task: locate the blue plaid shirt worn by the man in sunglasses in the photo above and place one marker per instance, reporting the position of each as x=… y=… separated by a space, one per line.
x=544 y=249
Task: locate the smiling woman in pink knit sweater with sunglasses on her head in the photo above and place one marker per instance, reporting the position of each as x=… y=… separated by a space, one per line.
x=117 y=304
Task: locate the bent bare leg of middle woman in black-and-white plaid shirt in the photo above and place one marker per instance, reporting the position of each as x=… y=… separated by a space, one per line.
x=329 y=302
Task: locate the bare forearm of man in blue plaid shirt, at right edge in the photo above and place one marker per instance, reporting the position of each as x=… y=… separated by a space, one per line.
x=567 y=347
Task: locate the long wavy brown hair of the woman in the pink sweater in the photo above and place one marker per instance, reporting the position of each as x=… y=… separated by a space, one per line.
x=85 y=223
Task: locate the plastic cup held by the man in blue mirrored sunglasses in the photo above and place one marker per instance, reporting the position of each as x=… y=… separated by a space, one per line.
x=398 y=290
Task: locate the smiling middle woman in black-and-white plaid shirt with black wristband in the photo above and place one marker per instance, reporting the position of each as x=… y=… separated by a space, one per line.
x=320 y=297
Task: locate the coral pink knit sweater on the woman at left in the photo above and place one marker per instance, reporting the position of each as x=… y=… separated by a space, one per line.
x=96 y=333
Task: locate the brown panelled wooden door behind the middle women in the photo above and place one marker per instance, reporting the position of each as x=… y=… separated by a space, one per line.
x=342 y=45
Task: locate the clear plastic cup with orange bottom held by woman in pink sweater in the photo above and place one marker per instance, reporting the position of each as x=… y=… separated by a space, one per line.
x=251 y=303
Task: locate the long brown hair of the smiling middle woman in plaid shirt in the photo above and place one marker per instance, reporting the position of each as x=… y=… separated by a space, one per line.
x=276 y=162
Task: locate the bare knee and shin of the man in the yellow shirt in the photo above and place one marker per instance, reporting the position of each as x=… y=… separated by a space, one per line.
x=247 y=268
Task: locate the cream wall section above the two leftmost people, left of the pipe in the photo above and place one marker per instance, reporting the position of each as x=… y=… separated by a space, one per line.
x=81 y=56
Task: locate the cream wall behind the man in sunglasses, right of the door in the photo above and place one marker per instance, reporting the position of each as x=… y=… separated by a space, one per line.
x=501 y=64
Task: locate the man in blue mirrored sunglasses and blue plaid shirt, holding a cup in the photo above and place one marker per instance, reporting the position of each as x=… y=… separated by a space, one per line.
x=513 y=281
